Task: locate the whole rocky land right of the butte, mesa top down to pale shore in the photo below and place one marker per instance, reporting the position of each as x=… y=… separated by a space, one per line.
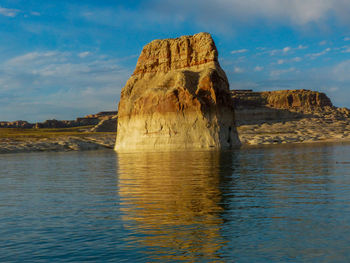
x=289 y=116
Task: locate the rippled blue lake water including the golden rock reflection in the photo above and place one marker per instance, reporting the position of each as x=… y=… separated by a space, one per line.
x=269 y=204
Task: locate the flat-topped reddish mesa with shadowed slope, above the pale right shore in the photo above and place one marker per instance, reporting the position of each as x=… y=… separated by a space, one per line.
x=276 y=106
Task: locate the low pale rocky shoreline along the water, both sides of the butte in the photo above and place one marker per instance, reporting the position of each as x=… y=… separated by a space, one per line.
x=306 y=130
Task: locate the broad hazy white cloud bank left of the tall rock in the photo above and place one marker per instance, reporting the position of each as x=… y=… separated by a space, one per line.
x=61 y=83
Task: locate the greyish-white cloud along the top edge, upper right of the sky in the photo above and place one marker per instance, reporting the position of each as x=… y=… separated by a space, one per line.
x=292 y=12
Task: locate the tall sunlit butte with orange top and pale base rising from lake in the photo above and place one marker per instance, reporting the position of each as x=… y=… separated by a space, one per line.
x=177 y=98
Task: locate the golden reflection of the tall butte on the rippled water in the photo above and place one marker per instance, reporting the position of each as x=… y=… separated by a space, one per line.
x=175 y=201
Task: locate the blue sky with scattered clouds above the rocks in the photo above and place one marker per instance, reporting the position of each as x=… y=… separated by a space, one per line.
x=64 y=59
